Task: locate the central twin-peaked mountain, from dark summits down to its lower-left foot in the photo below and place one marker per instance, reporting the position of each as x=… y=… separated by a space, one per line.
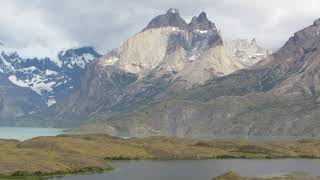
x=166 y=57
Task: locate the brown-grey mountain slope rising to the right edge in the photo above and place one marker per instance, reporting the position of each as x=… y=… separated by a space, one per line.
x=278 y=96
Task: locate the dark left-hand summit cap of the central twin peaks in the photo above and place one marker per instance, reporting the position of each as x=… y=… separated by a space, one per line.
x=170 y=19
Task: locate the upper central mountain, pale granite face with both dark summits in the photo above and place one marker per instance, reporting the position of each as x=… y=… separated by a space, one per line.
x=146 y=50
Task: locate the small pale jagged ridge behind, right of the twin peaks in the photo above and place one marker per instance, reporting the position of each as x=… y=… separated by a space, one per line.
x=246 y=52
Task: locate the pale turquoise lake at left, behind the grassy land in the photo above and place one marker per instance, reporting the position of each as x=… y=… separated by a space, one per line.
x=23 y=133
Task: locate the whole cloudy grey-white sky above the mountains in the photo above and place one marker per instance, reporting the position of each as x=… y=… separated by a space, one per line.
x=43 y=27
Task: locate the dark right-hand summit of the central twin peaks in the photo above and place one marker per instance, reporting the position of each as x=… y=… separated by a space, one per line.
x=201 y=23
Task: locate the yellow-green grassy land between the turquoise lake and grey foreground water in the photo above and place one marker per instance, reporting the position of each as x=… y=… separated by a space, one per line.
x=85 y=154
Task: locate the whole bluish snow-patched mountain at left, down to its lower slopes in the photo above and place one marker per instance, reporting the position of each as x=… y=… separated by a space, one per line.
x=39 y=82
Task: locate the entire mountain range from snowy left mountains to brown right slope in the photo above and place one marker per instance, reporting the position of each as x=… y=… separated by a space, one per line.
x=173 y=78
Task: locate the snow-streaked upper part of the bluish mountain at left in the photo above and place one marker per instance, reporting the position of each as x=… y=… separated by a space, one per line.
x=50 y=80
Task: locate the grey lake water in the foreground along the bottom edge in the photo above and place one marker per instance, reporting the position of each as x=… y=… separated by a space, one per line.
x=202 y=169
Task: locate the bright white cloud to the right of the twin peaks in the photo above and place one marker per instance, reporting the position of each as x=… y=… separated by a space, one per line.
x=272 y=22
